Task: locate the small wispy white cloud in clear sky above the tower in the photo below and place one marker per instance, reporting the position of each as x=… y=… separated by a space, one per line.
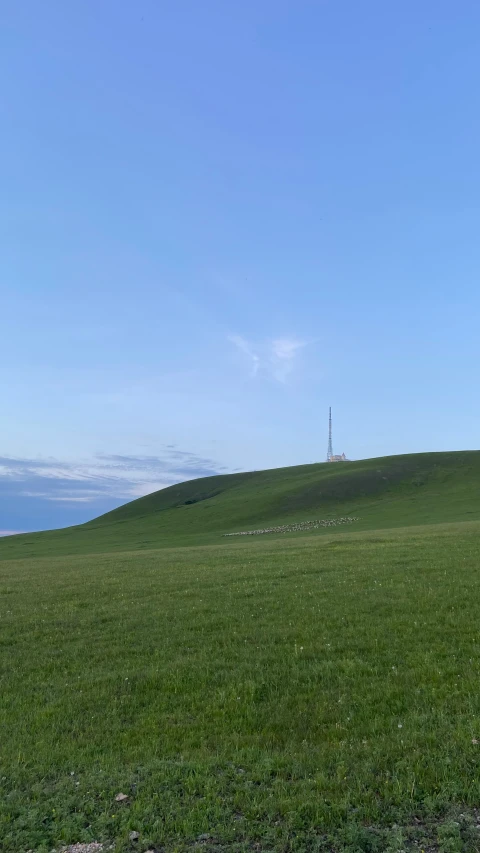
x=273 y=358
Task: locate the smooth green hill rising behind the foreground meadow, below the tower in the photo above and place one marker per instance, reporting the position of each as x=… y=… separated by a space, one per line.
x=385 y=492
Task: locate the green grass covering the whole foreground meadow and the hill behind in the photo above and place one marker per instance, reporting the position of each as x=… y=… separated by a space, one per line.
x=314 y=691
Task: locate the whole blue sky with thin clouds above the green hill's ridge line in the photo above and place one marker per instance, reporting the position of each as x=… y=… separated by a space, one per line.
x=216 y=220
